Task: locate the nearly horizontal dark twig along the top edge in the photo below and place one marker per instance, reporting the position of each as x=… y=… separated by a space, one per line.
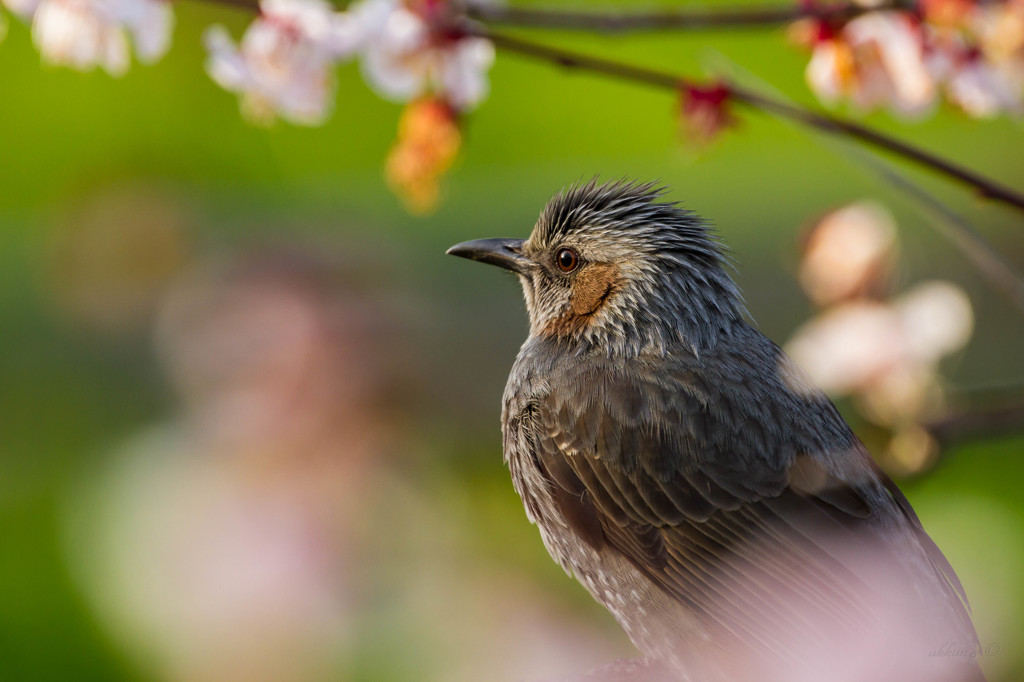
x=675 y=20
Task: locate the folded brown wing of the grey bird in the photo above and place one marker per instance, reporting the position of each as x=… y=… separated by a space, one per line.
x=716 y=490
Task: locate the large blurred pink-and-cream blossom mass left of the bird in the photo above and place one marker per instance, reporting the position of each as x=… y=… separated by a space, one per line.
x=268 y=531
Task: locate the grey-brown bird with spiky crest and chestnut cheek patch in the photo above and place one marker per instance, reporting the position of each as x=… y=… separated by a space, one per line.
x=692 y=478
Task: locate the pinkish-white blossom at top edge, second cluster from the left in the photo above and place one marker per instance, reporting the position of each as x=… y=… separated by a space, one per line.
x=284 y=66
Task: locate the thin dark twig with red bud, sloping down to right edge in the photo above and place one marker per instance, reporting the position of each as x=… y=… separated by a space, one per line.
x=824 y=122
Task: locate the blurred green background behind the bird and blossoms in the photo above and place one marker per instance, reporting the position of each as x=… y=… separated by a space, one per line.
x=114 y=190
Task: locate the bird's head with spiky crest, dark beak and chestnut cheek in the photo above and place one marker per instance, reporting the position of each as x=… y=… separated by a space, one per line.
x=611 y=265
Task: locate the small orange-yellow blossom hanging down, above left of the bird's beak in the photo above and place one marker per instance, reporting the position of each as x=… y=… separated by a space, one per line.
x=428 y=146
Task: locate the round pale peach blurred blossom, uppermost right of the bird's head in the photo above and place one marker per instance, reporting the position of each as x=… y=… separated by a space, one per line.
x=848 y=253
